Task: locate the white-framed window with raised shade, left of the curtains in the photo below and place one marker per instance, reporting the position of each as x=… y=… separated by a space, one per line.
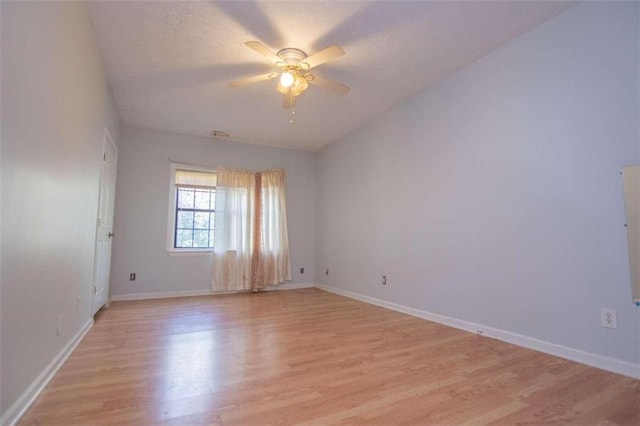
x=191 y=209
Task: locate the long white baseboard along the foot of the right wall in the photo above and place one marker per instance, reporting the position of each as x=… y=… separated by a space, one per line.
x=594 y=360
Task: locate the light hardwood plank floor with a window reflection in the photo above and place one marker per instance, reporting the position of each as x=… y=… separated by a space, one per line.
x=312 y=357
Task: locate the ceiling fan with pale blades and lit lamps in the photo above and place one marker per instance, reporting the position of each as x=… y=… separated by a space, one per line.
x=294 y=71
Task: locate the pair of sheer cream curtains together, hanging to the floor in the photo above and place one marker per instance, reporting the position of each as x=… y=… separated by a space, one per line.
x=251 y=244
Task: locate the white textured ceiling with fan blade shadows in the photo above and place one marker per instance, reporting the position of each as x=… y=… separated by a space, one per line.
x=168 y=63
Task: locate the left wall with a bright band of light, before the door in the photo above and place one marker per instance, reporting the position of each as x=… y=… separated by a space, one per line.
x=55 y=106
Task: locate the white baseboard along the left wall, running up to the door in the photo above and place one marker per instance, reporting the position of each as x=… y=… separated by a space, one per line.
x=22 y=404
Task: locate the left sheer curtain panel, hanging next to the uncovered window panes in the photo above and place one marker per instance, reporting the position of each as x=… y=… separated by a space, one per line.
x=233 y=230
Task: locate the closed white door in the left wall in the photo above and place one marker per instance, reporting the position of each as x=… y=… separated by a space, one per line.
x=104 y=234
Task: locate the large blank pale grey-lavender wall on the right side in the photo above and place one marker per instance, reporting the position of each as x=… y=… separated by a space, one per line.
x=495 y=197
